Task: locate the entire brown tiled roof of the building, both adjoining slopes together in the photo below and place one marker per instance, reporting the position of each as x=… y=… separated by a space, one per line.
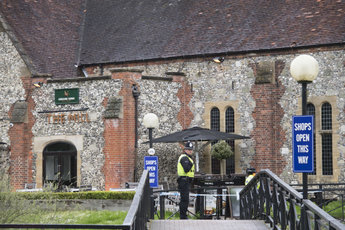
x=55 y=35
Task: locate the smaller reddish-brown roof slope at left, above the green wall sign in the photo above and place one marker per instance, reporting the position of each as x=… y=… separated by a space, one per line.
x=48 y=32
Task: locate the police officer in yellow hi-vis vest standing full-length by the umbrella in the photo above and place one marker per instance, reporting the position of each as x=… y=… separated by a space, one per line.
x=185 y=171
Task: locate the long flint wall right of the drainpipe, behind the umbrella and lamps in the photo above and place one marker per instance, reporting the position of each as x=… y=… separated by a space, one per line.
x=229 y=81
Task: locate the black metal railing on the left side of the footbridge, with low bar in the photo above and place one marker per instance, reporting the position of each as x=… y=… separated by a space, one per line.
x=136 y=219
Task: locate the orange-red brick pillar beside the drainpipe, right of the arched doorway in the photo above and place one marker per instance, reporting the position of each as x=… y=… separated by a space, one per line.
x=119 y=135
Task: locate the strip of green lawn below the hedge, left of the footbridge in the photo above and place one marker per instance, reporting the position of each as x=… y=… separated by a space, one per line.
x=75 y=217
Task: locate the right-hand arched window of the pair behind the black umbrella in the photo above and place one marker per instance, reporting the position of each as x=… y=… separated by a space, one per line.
x=230 y=128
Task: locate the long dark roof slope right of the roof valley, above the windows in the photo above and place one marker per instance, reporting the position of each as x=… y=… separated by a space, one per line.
x=128 y=30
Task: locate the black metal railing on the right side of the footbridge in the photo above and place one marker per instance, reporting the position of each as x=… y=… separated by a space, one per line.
x=269 y=198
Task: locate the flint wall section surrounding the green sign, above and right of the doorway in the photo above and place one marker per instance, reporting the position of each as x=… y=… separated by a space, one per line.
x=91 y=96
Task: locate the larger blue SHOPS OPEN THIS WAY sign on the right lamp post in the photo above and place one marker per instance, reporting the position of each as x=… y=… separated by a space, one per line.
x=303 y=143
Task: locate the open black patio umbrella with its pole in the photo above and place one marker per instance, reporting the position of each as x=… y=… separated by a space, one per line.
x=197 y=134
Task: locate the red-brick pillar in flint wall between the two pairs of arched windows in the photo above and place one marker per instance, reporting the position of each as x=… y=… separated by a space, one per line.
x=268 y=133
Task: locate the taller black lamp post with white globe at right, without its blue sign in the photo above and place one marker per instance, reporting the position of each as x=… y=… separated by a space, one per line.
x=304 y=70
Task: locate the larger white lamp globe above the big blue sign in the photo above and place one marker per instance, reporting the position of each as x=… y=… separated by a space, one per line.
x=304 y=68
